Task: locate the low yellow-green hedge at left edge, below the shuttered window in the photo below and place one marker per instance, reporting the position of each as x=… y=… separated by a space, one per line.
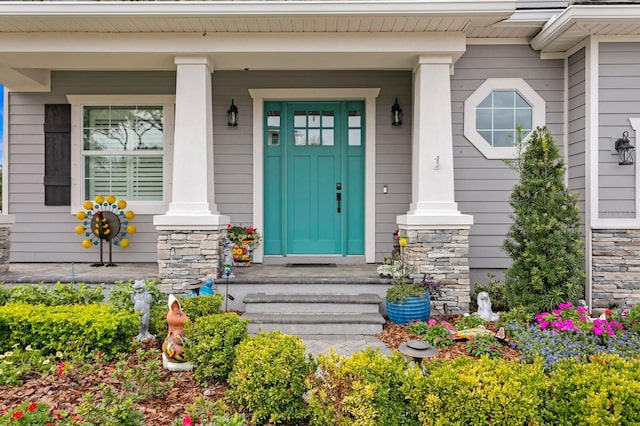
x=80 y=329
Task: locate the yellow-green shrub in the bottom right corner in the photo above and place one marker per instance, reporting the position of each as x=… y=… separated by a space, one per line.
x=605 y=391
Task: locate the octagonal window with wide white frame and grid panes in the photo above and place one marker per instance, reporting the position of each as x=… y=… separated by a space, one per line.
x=495 y=111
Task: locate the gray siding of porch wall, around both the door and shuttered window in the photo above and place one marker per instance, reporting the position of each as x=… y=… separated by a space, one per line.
x=46 y=234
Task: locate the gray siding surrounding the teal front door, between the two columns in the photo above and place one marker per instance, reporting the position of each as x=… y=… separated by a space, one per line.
x=233 y=146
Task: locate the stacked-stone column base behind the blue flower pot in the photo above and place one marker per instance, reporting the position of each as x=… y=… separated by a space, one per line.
x=443 y=254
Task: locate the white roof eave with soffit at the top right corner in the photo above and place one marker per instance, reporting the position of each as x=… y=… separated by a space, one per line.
x=567 y=25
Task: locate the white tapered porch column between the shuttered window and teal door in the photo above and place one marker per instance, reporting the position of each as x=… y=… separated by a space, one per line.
x=192 y=199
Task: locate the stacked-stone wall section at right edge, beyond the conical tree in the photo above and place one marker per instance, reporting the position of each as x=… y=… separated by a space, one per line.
x=615 y=267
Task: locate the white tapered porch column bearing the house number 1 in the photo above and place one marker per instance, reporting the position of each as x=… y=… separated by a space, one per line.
x=432 y=200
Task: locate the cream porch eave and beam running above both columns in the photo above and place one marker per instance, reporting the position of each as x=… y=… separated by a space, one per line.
x=38 y=37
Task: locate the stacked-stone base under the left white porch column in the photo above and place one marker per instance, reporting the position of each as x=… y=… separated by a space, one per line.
x=184 y=255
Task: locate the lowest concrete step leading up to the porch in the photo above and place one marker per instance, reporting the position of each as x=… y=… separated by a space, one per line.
x=316 y=324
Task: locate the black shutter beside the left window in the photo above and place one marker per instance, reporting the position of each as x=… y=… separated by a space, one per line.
x=57 y=155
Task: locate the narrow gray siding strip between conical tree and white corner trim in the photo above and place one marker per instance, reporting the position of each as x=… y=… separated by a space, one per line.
x=576 y=128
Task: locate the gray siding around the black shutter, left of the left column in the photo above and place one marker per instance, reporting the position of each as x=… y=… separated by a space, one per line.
x=46 y=233
